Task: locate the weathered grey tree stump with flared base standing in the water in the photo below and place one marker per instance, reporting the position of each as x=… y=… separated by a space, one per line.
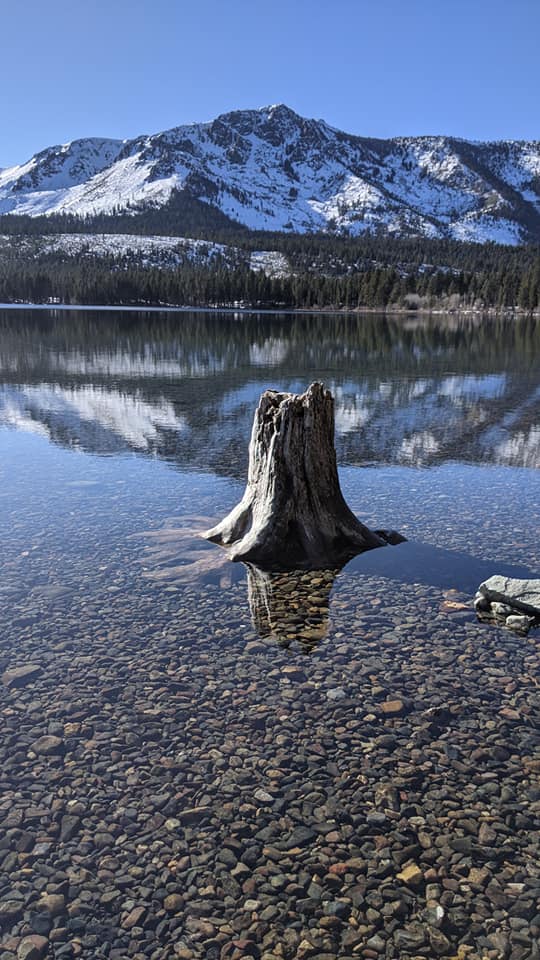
x=293 y=514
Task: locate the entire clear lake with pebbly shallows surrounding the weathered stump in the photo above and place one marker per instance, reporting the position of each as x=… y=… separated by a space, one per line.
x=205 y=761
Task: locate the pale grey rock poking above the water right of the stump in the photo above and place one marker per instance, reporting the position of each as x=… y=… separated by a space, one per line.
x=514 y=602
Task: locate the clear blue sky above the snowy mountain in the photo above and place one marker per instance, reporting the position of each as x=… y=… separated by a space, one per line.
x=380 y=68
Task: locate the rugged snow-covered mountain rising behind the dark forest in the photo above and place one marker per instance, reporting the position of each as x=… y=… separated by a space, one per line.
x=271 y=169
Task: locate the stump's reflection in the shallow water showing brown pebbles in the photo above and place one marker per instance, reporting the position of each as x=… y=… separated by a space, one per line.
x=292 y=607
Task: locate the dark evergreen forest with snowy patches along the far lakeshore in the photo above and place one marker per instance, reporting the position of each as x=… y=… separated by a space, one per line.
x=315 y=271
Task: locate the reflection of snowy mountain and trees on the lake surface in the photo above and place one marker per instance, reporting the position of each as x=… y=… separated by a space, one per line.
x=183 y=387
